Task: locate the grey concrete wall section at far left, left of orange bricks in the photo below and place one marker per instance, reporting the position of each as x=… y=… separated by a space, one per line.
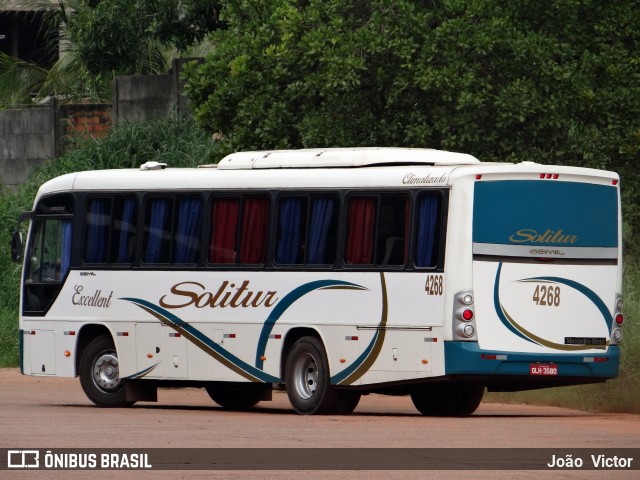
x=27 y=137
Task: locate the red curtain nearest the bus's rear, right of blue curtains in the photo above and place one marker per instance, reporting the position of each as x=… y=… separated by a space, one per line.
x=360 y=229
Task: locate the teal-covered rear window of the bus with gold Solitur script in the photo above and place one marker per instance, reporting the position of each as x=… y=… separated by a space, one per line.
x=517 y=217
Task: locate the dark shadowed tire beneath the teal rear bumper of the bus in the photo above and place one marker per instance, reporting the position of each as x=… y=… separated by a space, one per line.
x=448 y=400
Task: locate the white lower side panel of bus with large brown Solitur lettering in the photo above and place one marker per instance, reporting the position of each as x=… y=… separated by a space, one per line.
x=231 y=326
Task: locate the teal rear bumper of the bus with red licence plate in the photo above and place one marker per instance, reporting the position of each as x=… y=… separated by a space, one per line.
x=466 y=358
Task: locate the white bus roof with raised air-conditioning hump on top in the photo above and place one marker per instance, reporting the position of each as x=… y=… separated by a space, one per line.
x=287 y=169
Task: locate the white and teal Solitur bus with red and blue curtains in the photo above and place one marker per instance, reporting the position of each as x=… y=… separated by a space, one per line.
x=331 y=273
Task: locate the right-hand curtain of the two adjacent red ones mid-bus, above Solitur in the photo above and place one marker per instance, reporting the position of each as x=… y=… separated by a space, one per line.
x=255 y=223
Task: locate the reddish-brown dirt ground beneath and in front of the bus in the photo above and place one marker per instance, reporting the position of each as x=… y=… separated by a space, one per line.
x=53 y=413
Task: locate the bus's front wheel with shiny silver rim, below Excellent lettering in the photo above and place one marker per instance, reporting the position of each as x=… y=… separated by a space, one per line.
x=100 y=374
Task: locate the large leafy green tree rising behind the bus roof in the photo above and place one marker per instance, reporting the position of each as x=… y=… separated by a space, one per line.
x=551 y=82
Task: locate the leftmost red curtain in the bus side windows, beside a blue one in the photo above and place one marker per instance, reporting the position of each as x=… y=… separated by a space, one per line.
x=224 y=221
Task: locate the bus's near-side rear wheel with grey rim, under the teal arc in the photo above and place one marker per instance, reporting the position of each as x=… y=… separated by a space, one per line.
x=307 y=379
